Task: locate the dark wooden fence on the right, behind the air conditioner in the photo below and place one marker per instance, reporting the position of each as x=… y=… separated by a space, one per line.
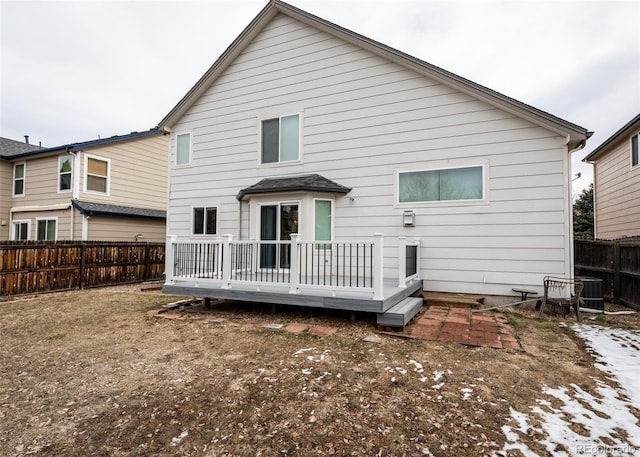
x=617 y=263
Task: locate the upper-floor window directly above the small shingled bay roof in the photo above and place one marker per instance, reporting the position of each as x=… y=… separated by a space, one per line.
x=281 y=139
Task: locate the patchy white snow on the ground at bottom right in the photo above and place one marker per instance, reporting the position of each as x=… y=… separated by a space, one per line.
x=606 y=420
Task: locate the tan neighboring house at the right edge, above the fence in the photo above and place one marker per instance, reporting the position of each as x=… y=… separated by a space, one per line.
x=616 y=176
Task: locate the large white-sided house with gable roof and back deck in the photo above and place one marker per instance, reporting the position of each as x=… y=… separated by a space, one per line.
x=302 y=126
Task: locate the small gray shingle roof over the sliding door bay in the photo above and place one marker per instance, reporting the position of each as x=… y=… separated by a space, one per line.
x=312 y=183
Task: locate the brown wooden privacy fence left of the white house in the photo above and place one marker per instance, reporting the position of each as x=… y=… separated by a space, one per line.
x=38 y=266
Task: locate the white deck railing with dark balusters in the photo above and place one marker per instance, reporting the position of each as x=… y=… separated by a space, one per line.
x=335 y=265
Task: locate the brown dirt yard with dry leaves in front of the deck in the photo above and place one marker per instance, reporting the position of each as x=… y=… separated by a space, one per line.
x=88 y=373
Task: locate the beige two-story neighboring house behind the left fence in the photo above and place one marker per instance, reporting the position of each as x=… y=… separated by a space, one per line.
x=112 y=189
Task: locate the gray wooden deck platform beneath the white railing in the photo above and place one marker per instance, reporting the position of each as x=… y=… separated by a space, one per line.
x=348 y=300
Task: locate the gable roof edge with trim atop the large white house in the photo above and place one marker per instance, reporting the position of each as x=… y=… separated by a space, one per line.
x=576 y=135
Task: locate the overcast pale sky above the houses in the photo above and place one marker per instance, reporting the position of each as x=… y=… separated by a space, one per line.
x=76 y=71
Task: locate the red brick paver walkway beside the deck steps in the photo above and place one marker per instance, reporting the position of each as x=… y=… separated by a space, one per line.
x=461 y=325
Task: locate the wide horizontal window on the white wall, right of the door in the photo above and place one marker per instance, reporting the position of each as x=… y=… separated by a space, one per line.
x=449 y=184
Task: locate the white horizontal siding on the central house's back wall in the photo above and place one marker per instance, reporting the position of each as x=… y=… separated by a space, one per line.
x=364 y=117
